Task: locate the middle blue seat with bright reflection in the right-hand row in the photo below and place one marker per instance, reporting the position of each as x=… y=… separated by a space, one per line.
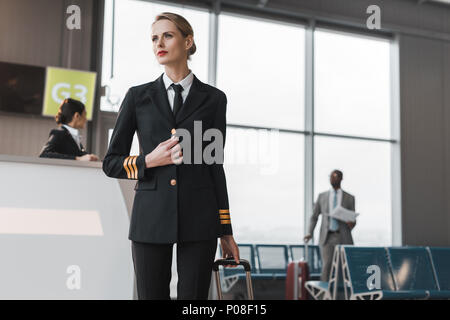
x=412 y=271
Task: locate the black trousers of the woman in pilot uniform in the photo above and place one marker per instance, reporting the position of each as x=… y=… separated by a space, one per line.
x=153 y=269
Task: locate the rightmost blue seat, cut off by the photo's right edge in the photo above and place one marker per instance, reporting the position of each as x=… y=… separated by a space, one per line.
x=440 y=260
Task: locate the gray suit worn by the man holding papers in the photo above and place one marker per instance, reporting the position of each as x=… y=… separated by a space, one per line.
x=328 y=240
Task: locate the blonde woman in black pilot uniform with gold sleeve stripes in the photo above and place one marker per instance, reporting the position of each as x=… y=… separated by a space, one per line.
x=177 y=200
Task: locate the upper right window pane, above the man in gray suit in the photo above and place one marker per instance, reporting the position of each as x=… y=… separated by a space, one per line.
x=352 y=85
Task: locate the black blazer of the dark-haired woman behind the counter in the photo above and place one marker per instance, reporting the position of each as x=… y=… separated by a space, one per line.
x=61 y=145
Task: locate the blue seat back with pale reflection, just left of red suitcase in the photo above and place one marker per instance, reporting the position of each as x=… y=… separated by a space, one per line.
x=272 y=260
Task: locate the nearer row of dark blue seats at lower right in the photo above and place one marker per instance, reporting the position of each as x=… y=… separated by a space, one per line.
x=373 y=273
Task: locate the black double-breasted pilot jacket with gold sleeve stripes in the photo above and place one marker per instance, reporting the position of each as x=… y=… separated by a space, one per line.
x=172 y=203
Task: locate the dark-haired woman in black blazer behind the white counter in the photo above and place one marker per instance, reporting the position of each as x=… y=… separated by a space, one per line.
x=65 y=141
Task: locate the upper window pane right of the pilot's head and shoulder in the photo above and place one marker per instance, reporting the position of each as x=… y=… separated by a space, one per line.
x=261 y=69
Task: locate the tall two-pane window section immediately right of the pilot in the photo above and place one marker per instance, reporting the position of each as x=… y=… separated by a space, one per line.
x=262 y=78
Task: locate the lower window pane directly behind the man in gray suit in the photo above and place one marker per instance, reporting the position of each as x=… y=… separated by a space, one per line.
x=366 y=166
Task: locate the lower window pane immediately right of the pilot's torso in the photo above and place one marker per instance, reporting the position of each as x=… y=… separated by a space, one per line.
x=265 y=179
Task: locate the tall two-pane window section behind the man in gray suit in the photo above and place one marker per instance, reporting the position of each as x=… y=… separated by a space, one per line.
x=352 y=98
